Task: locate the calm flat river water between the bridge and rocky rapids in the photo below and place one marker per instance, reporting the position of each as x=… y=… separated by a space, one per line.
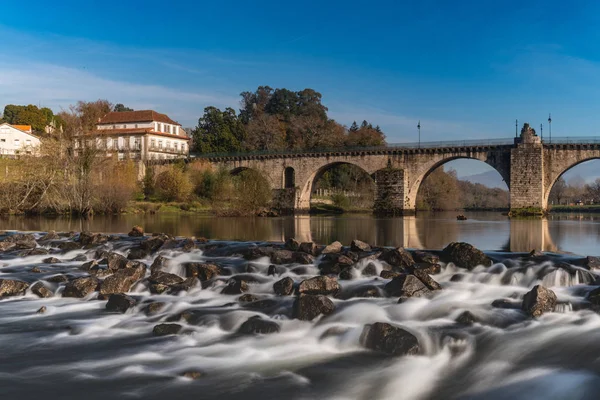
x=573 y=233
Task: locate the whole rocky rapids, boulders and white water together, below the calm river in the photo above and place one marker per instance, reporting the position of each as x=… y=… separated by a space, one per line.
x=164 y=316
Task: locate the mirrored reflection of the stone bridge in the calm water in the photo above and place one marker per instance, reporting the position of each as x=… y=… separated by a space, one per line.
x=415 y=232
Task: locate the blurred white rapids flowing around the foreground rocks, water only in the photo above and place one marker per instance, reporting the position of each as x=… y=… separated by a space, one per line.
x=76 y=349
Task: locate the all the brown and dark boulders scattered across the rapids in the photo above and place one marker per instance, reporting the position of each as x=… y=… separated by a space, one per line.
x=109 y=275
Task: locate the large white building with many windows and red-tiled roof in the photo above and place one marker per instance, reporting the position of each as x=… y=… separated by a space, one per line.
x=142 y=134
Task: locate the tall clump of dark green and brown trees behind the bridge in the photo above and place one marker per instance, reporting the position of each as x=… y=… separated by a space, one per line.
x=278 y=119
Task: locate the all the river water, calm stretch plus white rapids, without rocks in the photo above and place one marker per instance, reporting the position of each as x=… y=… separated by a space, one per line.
x=76 y=349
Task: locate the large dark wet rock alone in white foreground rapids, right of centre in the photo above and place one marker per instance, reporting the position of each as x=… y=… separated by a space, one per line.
x=391 y=340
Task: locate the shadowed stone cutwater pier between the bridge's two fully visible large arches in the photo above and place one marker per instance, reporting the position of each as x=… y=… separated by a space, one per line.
x=391 y=192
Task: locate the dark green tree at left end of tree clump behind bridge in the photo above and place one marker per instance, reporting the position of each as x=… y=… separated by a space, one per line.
x=219 y=132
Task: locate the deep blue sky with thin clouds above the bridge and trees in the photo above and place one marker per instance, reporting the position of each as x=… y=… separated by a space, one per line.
x=465 y=69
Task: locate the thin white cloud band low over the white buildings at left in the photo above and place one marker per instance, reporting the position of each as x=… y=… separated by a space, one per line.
x=57 y=87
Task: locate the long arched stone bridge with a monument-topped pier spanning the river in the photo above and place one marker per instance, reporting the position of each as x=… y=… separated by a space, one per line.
x=528 y=166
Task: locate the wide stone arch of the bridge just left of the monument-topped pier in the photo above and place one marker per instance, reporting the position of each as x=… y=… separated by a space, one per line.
x=421 y=172
